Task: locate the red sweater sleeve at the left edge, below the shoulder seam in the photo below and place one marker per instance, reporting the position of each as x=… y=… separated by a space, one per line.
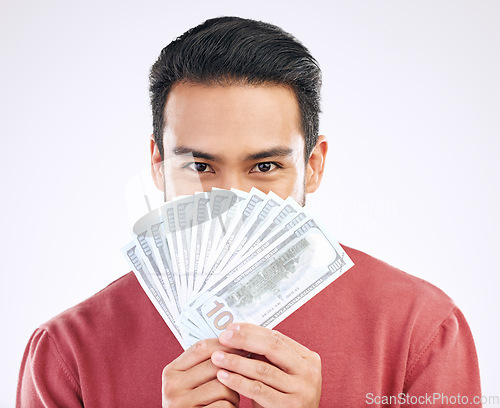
x=44 y=378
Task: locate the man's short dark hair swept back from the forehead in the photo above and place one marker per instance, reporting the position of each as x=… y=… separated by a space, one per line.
x=232 y=49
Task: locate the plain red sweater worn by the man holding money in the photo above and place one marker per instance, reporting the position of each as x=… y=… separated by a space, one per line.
x=379 y=331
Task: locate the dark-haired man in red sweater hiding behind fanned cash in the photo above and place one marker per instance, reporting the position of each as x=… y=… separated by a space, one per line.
x=235 y=104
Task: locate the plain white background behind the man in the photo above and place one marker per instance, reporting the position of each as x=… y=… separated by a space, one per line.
x=411 y=109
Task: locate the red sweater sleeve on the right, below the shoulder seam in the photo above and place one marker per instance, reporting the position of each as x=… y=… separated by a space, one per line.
x=445 y=370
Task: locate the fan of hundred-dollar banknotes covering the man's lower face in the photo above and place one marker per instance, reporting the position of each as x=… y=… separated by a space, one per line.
x=211 y=258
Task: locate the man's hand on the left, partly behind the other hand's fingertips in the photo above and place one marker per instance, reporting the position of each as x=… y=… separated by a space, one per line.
x=191 y=379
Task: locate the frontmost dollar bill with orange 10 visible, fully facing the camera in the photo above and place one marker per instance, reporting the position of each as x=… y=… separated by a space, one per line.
x=277 y=283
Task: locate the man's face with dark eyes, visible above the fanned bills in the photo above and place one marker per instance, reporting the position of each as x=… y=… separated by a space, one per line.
x=234 y=136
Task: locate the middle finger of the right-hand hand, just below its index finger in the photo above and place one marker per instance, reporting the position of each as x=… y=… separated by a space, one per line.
x=255 y=369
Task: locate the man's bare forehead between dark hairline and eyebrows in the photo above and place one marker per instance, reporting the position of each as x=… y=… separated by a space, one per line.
x=240 y=116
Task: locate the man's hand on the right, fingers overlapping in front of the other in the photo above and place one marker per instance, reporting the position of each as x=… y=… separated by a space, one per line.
x=291 y=378
